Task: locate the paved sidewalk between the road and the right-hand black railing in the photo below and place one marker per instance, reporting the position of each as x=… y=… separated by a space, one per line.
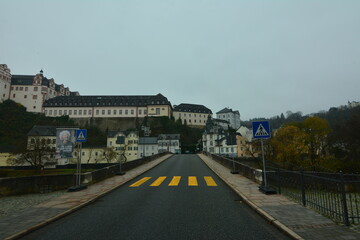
x=297 y=221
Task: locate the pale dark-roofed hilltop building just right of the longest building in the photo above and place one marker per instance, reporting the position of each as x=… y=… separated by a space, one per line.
x=192 y=114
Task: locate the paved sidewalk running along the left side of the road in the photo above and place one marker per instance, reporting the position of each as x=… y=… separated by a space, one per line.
x=16 y=225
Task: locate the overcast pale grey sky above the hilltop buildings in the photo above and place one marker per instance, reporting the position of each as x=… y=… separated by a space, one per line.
x=262 y=58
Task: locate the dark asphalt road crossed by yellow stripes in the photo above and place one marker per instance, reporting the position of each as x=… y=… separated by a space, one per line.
x=191 y=208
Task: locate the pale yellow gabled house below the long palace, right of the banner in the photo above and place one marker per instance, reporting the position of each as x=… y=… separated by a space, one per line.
x=126 y=144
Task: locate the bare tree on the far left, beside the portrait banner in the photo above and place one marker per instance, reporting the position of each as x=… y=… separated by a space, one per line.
x=39 y=153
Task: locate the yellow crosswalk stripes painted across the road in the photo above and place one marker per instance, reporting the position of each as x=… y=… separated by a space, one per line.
x=191 y=181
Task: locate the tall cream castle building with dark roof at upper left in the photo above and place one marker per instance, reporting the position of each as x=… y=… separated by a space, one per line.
x=33 y=90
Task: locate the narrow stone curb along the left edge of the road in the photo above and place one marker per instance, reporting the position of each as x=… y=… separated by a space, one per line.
x=71 y=210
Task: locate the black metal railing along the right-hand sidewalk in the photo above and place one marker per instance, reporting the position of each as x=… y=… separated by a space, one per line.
x=335 y=195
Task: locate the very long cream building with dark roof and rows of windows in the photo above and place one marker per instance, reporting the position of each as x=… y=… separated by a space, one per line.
x=108 y=106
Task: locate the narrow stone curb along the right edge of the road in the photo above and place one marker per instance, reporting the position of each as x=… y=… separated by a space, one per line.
x=261 y=212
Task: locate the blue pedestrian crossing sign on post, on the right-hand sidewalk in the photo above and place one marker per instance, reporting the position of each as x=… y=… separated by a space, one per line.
x=261 y=130
